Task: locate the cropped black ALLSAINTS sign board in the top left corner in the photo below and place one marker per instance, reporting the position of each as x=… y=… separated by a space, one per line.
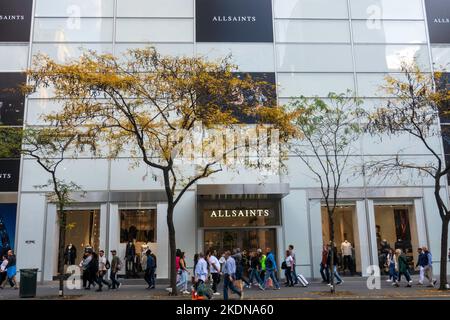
x=15 y=20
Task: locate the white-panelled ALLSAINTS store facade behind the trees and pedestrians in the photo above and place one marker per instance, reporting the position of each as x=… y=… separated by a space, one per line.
x=309 y=48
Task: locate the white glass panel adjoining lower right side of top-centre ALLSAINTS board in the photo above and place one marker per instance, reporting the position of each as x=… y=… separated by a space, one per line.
x=312 y=31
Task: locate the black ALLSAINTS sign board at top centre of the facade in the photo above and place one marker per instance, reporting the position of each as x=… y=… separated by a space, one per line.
x=234 y=21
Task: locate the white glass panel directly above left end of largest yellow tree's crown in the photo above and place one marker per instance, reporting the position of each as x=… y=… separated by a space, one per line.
x=63 y=52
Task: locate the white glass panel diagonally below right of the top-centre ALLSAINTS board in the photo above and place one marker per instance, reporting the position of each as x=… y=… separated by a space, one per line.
x=314 y=58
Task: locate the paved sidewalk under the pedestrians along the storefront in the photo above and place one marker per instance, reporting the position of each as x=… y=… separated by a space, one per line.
x=352 y=288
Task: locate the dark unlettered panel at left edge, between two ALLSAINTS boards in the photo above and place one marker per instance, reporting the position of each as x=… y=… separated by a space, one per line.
x=11 y=98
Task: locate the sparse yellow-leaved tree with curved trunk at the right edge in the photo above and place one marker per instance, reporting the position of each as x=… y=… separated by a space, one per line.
x=414 y=109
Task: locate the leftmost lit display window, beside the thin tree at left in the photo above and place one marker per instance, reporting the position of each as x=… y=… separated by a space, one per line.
x=82 y=231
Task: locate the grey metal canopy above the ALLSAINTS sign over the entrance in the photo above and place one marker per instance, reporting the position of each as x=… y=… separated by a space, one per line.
x=243 y=191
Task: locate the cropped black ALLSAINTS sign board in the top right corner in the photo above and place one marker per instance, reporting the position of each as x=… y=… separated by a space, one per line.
x=438 y=15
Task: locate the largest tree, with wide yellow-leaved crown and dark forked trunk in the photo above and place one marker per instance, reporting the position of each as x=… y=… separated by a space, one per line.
x=172 y=114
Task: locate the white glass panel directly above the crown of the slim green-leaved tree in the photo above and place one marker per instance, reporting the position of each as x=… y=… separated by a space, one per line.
x=309 y=85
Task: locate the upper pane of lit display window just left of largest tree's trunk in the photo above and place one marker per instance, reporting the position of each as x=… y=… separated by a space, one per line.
x=138 y=225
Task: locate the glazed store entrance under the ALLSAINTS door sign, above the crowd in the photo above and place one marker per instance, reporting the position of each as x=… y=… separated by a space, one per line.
x=245 y=239
